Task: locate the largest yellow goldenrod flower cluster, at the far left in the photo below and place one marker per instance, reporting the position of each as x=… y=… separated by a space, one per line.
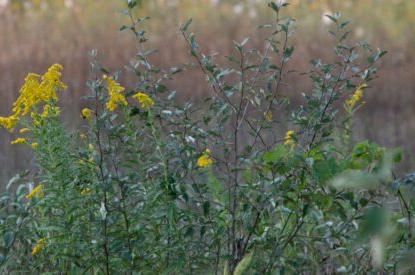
x=36 y=89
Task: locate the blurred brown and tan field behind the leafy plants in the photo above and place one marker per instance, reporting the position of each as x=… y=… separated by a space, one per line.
x=37 y=33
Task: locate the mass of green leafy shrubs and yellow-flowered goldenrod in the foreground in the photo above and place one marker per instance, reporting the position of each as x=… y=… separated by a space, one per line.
x=149 y=185
